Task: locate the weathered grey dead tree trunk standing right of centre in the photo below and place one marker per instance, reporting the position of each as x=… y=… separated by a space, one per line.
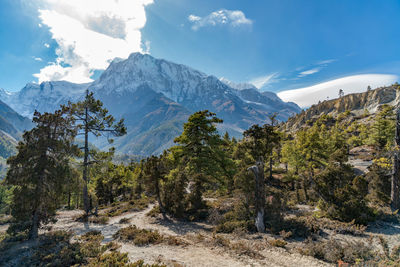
x=258 y=171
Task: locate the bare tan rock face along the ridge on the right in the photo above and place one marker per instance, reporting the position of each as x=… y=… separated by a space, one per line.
x=356 y=103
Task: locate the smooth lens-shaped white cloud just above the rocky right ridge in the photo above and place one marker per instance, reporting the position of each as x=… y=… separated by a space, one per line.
x=307 y=96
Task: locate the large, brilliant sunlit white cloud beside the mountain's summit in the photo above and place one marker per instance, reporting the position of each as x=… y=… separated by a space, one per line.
x=90 y=34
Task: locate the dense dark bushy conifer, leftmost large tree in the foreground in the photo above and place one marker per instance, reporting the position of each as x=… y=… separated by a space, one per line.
x=39 y=171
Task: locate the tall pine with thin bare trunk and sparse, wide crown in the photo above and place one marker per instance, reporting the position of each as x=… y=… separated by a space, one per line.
x=90 y=117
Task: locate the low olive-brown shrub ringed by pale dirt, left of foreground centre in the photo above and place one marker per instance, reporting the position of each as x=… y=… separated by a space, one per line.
x=139 y=237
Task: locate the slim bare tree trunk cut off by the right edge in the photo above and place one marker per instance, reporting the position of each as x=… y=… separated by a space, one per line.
x=395 y=190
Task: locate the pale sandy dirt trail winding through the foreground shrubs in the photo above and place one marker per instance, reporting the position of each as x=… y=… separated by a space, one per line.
x=193 y=254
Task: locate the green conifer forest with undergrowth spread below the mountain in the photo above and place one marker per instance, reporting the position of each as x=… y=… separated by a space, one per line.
x=238 y=185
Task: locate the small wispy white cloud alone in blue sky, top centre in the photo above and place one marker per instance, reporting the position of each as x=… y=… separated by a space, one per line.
x=233 y=18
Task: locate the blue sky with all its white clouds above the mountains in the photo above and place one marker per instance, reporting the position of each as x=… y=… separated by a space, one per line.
x=277 y=45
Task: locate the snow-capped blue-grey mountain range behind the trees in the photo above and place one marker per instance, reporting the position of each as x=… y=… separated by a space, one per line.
x=155 y=97
